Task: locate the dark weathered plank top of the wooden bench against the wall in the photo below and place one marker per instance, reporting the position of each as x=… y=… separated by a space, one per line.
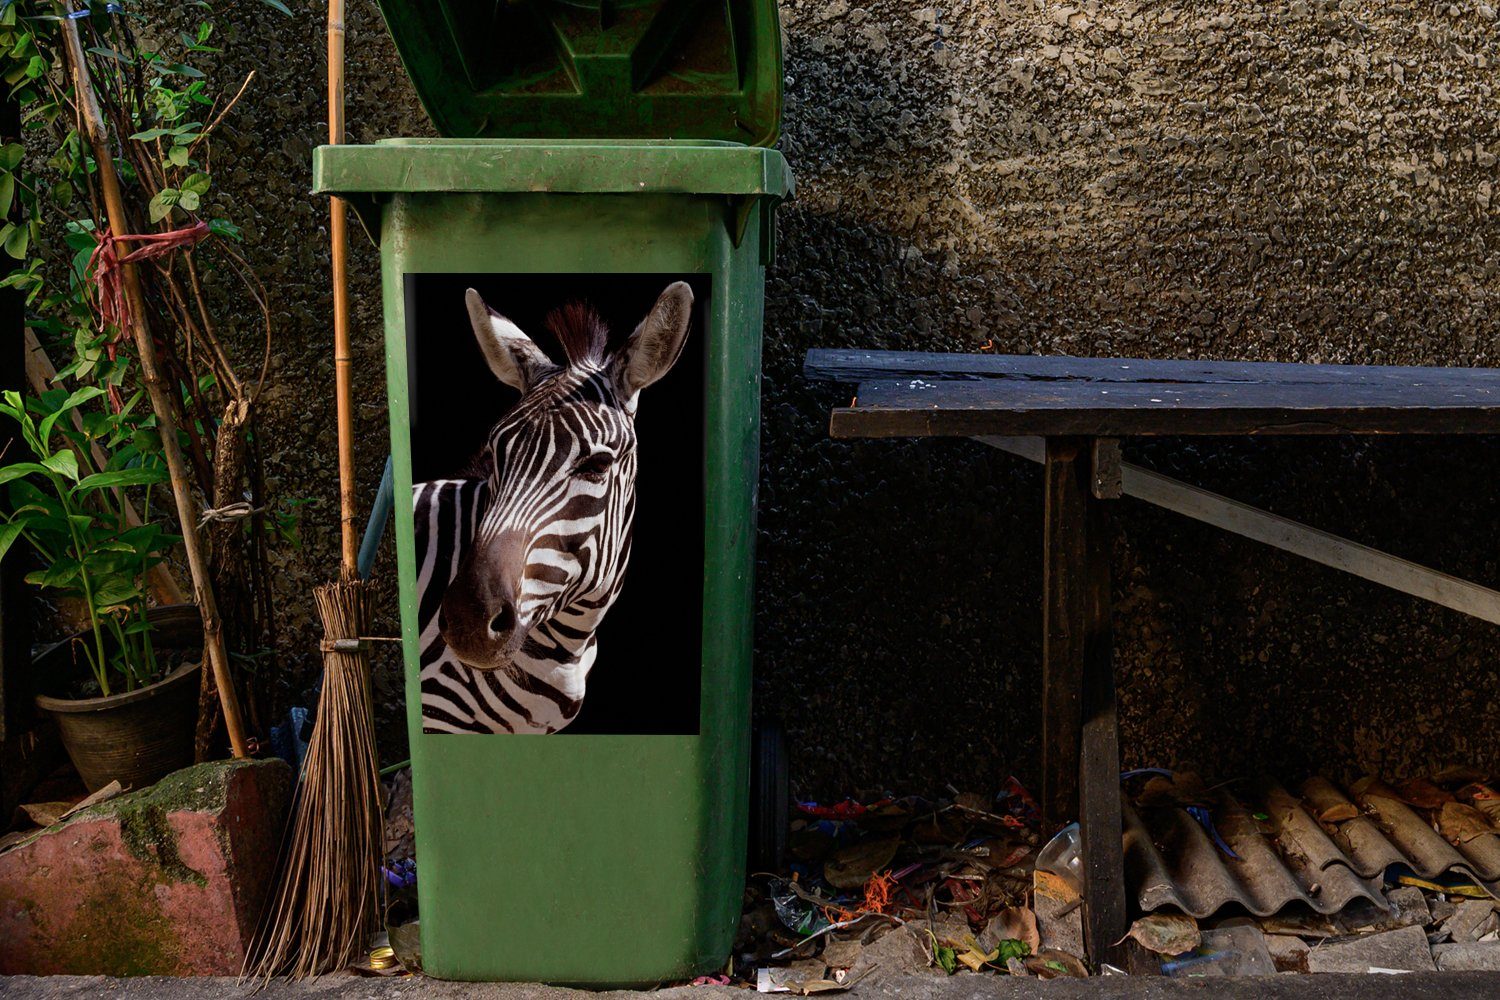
x=904 y=395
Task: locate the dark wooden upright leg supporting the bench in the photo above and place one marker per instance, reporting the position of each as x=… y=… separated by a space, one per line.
x=1081 y=735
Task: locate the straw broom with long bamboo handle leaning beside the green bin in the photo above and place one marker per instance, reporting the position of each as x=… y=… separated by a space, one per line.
x=328 y=900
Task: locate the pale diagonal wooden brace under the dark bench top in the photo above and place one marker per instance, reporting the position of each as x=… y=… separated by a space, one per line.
x=1289 y=536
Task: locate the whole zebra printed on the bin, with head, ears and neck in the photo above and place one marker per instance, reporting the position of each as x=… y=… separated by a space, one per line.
x=521 y=558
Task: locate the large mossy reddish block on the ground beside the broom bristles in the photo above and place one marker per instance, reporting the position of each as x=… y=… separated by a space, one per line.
x=169 y=881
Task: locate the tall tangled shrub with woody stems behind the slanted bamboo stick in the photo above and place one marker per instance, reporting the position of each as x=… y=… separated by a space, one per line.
x=208 y=311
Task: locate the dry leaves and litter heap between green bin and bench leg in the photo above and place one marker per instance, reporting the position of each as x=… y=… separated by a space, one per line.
x=898 y=885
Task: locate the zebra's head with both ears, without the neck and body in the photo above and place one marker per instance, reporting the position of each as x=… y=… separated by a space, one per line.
x=551 y=545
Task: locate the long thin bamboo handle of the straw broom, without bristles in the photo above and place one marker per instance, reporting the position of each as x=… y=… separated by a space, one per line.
x=343 y=359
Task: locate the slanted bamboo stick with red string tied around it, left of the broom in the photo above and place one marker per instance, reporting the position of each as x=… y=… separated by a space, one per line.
x=161 y=400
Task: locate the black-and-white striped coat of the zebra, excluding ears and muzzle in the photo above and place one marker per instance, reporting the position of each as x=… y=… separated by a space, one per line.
x=577 y=564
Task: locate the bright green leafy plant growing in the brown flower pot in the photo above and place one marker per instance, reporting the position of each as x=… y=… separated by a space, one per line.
x=71 y=509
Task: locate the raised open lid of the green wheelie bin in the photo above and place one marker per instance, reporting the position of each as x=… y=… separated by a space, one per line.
x=653 y=70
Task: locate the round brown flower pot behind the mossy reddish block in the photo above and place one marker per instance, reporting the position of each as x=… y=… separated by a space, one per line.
x=137 y=737
